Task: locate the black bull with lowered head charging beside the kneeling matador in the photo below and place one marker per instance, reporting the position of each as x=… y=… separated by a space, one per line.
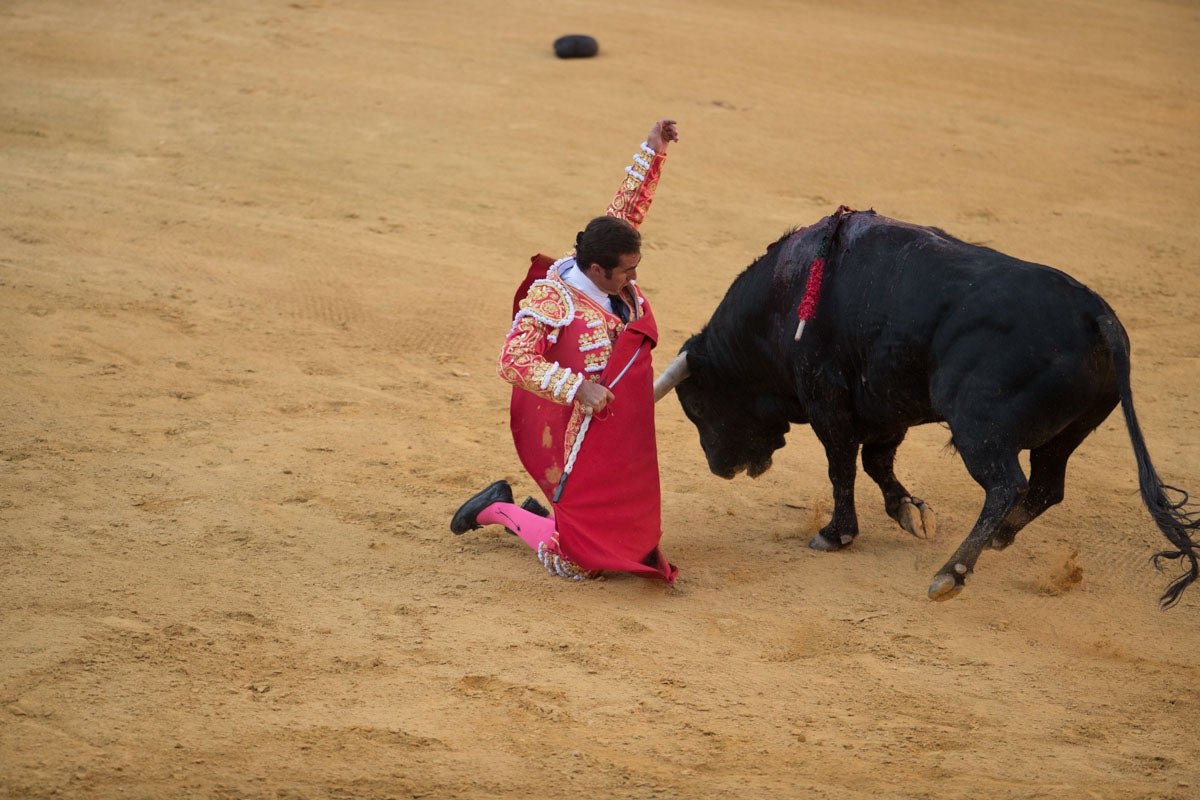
x=916 y=327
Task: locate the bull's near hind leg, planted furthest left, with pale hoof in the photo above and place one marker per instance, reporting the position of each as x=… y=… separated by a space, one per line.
x=1006 y=486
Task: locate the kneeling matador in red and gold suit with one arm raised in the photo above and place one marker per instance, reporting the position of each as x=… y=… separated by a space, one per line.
x=583 y=410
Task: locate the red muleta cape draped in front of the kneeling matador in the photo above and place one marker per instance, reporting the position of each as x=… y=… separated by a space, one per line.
x=609 y=516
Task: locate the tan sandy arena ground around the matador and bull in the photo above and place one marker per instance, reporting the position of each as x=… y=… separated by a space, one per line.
x=256 y=263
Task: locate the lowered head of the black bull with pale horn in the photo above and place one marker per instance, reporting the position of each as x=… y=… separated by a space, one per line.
x=739 y=430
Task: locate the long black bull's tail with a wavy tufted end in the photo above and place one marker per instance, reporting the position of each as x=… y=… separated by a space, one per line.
x=1172 y=518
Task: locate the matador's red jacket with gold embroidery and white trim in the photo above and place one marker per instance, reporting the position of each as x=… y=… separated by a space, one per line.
x=561 y=338
